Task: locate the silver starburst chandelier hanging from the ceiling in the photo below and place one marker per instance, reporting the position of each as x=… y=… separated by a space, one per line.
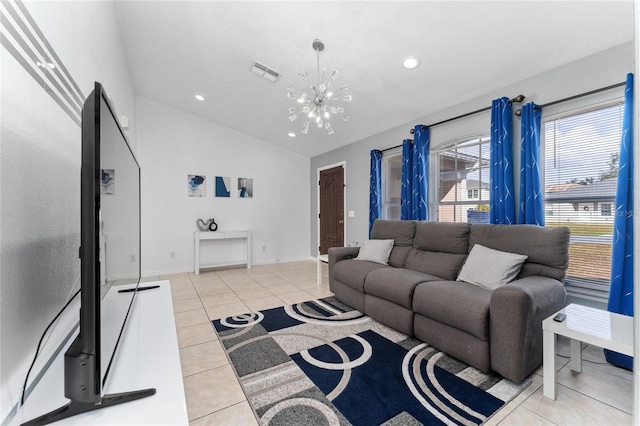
x=319 y=101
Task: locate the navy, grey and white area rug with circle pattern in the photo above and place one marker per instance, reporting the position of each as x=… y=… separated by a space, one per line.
x=323 y=363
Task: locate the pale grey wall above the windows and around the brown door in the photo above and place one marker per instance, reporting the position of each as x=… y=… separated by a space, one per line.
x=600 y=70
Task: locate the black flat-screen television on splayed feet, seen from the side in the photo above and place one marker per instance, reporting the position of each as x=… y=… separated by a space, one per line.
x=109 y=254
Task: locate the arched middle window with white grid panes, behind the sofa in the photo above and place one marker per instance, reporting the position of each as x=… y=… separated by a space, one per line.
x=463 y=181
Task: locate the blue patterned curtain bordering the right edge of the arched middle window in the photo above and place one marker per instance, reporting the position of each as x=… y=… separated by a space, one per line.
x=501 y=201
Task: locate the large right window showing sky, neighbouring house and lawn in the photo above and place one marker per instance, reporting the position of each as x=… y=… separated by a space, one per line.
x=580 y=178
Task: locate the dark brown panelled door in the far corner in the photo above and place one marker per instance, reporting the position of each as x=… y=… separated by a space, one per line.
x=331 y=208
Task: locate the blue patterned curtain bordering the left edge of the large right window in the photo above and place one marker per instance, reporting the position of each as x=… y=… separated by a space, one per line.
x=531 y=194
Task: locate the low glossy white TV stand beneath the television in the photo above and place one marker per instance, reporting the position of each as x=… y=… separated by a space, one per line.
x=147 y=357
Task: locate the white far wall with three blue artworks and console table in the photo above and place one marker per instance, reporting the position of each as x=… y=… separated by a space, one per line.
x=172 y=145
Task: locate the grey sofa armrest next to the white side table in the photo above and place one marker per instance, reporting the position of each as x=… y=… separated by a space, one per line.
x=516 y=313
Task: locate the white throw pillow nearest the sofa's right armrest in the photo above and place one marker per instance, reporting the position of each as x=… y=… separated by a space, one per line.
x=490 y=268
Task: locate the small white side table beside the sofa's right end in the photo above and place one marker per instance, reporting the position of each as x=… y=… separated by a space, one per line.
x=583 y=324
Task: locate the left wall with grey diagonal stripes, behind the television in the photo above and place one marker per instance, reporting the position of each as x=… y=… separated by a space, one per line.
x=40 y=172
